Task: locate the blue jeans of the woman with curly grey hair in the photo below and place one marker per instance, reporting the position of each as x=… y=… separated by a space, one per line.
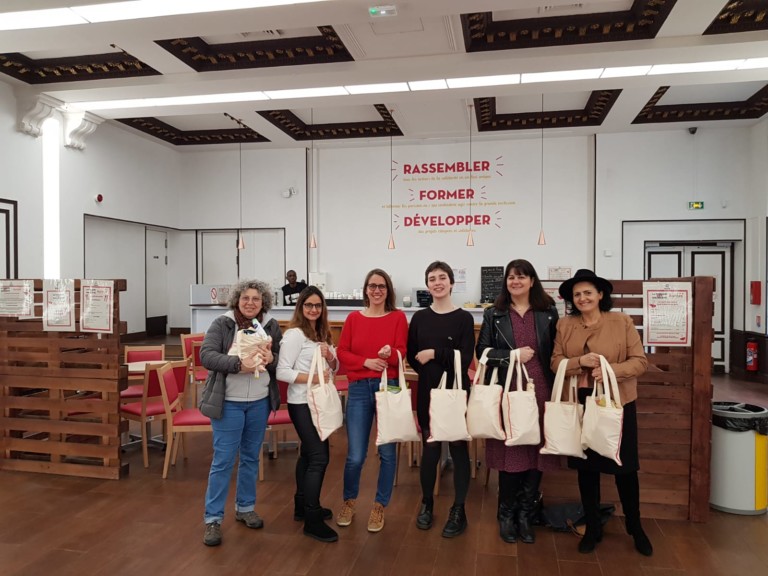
x=240 y=430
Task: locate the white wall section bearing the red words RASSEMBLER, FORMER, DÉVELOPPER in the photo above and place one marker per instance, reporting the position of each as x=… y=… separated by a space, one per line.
x=354 y=215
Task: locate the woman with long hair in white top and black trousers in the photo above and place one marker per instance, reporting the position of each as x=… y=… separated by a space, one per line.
x=307 y=331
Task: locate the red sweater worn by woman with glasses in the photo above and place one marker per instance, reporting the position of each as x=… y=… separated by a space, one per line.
x=362 y=337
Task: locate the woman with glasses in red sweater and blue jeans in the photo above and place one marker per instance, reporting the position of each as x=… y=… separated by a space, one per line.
x=368 y=345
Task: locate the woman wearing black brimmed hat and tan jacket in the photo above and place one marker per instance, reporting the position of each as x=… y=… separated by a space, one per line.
x=590 y=331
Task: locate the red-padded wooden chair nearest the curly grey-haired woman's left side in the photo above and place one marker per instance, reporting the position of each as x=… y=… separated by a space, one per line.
x=179 y=420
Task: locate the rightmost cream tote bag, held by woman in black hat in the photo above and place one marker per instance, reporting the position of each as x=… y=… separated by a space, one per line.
x=604 y=416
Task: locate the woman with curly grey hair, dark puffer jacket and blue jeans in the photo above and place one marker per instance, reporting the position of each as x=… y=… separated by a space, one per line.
x=238 y=398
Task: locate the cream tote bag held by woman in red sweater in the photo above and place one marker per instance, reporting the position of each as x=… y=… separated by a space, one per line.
x=394 y=411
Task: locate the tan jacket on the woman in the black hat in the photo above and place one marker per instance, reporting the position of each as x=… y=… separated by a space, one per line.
x=614 y=336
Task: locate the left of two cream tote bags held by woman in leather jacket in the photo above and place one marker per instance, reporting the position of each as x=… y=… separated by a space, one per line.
x=484 y=404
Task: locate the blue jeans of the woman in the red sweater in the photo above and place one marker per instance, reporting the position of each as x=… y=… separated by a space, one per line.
x=361 y=407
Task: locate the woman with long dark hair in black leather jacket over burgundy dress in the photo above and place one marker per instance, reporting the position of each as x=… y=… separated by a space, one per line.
x=523 y=317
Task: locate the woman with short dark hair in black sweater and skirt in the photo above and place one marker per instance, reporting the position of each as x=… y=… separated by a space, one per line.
x=433 y=335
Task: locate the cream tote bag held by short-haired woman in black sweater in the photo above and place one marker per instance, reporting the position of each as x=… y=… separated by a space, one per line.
x=448 y=408
